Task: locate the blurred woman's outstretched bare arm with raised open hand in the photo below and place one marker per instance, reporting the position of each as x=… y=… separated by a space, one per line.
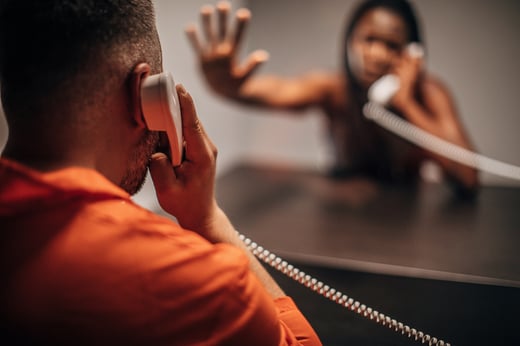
x=237 y=81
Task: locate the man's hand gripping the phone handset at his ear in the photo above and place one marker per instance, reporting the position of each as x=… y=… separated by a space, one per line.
x=187 y=191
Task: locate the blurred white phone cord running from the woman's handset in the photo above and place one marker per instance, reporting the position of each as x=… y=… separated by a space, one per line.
x=393 y=123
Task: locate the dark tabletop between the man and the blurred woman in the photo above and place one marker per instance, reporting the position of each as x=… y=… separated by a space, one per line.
x=421 y=231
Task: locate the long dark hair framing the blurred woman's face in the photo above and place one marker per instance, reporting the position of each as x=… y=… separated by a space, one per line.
x=400 y=7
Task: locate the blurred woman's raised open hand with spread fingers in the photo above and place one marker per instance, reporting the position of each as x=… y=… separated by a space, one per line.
x=218 y=57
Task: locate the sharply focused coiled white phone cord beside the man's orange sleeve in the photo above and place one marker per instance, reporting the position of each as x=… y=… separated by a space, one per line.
x=338 y=297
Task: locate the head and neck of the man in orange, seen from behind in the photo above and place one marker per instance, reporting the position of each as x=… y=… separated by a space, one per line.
x=69 y=66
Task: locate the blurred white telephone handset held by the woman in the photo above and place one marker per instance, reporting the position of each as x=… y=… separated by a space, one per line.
x=382 y=91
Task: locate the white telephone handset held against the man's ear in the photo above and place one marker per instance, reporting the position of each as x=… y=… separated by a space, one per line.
x=161 y=111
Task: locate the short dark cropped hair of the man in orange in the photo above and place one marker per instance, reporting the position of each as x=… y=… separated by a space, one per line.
x=46 y=44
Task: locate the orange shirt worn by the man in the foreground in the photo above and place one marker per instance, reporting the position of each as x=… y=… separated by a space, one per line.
x=83 y=264
